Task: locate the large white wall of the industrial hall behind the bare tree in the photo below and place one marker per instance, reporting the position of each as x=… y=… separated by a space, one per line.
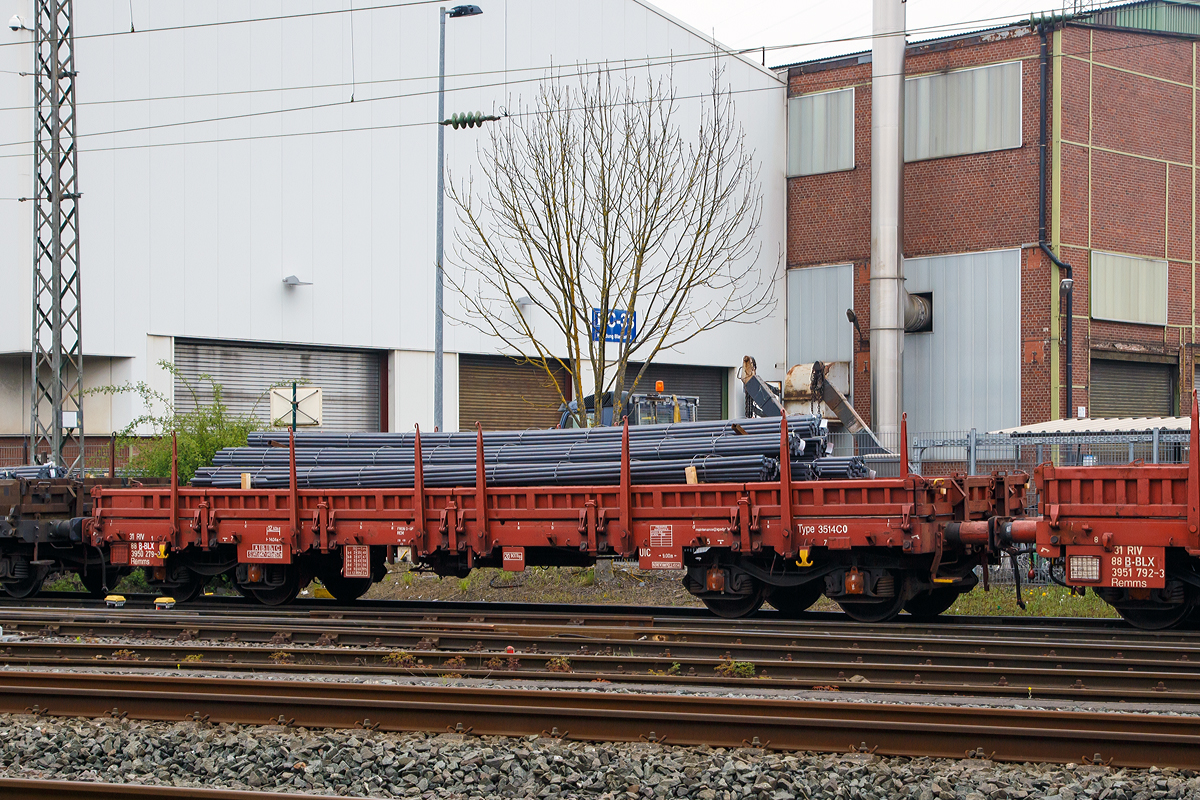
x=190 y=230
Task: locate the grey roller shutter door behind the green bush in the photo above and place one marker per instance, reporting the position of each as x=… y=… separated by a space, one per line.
x=349 y=380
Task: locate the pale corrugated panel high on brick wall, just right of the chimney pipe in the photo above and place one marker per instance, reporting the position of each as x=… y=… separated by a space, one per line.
x=961 y=112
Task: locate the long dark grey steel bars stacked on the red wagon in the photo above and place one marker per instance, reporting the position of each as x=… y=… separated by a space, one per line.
x=722 y=453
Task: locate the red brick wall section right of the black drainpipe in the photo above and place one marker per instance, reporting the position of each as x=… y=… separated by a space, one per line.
x=1129 y=160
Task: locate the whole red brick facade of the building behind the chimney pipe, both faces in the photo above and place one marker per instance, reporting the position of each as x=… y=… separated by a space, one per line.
x=1126 y=164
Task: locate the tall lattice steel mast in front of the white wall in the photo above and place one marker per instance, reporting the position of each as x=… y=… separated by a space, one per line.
x=57 y=408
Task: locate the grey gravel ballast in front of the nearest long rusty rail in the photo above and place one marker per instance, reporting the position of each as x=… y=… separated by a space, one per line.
x=368 y=763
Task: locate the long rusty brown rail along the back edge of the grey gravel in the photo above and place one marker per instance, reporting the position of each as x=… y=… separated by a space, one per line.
x=946 y=732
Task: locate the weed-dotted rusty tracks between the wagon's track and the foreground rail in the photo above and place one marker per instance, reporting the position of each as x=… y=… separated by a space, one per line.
x=1061 y=663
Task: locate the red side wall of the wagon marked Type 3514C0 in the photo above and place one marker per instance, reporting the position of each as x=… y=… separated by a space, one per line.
x=657 y=522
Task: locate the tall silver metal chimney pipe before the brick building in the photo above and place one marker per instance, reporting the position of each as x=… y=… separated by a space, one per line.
x=890 y=300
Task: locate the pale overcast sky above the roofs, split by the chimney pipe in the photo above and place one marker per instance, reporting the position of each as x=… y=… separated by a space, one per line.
x=767 y=23
